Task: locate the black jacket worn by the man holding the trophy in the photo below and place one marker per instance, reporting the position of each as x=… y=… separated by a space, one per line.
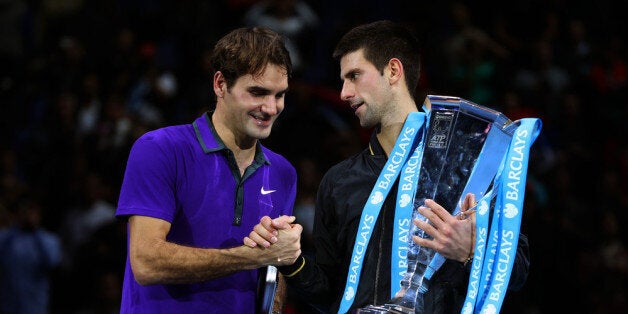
x=341 y=197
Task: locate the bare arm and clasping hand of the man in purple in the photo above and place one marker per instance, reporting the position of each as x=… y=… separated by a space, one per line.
x=154 y=260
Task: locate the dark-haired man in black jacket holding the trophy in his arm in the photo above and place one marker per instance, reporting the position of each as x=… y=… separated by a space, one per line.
x=379 y=66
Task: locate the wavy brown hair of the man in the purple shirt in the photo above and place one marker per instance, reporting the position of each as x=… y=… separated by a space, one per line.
x=248 y=50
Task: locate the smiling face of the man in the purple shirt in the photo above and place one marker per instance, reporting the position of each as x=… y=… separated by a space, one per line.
x=253 y=103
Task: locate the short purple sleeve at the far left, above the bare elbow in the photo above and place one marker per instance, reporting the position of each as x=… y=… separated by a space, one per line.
x=148 y=187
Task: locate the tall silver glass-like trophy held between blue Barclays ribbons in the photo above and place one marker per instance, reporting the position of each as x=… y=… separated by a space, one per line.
x=456 y=134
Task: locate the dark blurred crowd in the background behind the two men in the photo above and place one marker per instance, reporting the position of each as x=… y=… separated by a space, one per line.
x=81 y=80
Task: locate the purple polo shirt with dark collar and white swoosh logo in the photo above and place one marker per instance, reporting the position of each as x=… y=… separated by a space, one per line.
x=185 y=175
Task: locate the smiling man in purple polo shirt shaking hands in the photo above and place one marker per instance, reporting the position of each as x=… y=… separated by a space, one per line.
x=191 y=192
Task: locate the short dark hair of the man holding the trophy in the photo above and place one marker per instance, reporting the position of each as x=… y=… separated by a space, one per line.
x=382 y=41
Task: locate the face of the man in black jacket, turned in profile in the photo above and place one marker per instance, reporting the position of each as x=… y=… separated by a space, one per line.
x=364 y=88
